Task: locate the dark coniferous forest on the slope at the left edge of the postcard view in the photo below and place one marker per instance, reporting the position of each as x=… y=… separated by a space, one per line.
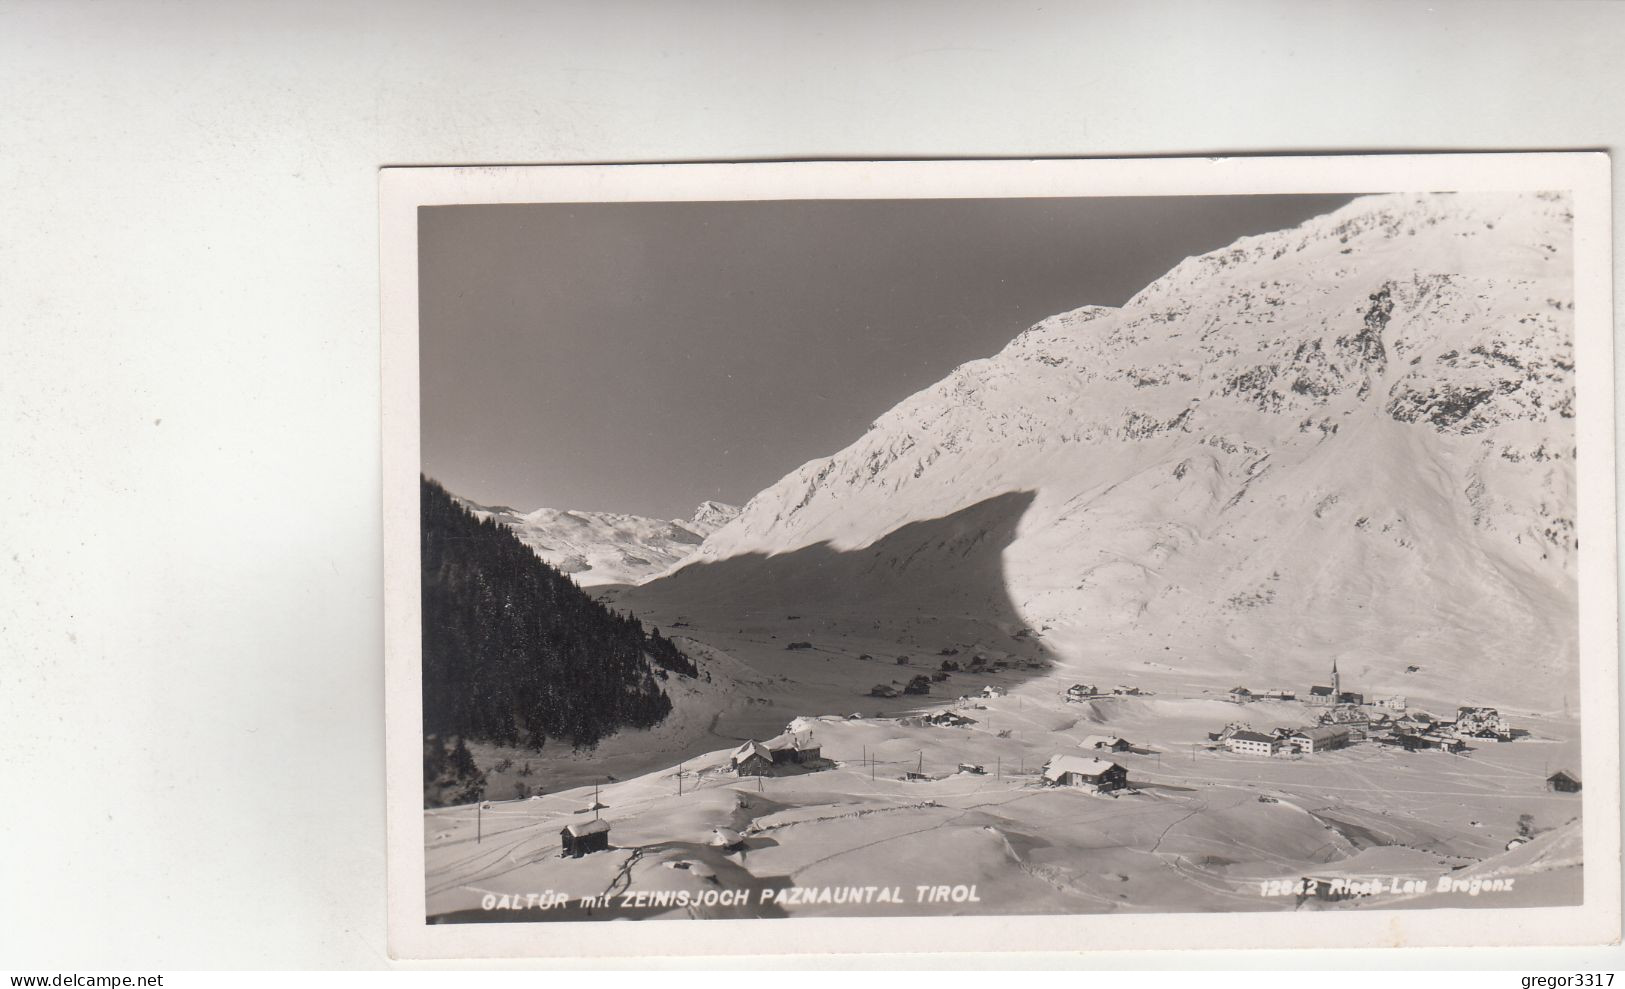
x=516 y=654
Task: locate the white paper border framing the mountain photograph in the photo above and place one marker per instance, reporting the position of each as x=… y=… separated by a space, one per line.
x=1584 y=175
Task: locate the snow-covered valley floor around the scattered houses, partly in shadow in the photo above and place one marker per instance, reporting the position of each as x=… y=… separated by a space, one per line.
x=1200 y=831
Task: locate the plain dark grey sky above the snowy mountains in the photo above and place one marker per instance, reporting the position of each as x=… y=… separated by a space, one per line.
x=648 y=356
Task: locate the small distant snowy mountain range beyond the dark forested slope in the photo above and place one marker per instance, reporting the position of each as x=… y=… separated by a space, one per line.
x=602 y=548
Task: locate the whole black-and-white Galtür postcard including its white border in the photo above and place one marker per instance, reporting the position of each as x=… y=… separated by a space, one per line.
x=1000 y=556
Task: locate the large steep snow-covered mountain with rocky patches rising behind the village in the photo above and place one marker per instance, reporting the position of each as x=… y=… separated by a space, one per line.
x=1353 y=439
